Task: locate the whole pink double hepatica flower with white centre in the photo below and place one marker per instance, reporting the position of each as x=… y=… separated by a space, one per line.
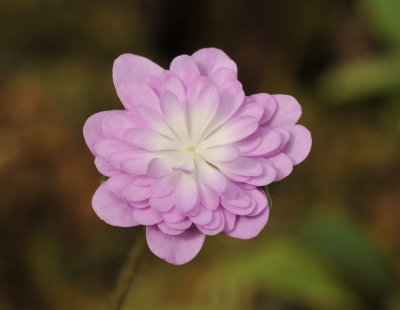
x=188 y=153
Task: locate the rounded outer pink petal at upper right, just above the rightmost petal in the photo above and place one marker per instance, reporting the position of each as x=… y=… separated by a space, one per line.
x=287 y=113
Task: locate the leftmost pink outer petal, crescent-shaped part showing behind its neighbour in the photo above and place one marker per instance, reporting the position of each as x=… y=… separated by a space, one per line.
x=92 y=130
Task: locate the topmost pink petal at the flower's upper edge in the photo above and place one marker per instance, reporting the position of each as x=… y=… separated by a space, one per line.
x=209 y=60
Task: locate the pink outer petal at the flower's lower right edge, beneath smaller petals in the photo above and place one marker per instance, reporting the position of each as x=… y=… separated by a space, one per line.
x=247 y=227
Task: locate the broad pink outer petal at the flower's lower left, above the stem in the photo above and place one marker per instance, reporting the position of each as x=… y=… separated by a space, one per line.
x=111 y=209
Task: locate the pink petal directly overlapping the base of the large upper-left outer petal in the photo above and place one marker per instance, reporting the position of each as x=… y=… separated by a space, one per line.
x=137 y=93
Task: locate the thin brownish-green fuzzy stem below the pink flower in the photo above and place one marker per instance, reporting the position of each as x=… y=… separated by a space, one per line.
x=128 y=273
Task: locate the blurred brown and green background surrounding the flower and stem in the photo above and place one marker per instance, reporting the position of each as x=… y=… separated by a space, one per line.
x=333 y=237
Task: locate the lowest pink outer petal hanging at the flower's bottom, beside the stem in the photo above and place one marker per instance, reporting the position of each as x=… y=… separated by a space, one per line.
x=178 y=249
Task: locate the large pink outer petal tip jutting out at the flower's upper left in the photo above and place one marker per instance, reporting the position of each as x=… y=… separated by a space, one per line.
x=128 y=67
